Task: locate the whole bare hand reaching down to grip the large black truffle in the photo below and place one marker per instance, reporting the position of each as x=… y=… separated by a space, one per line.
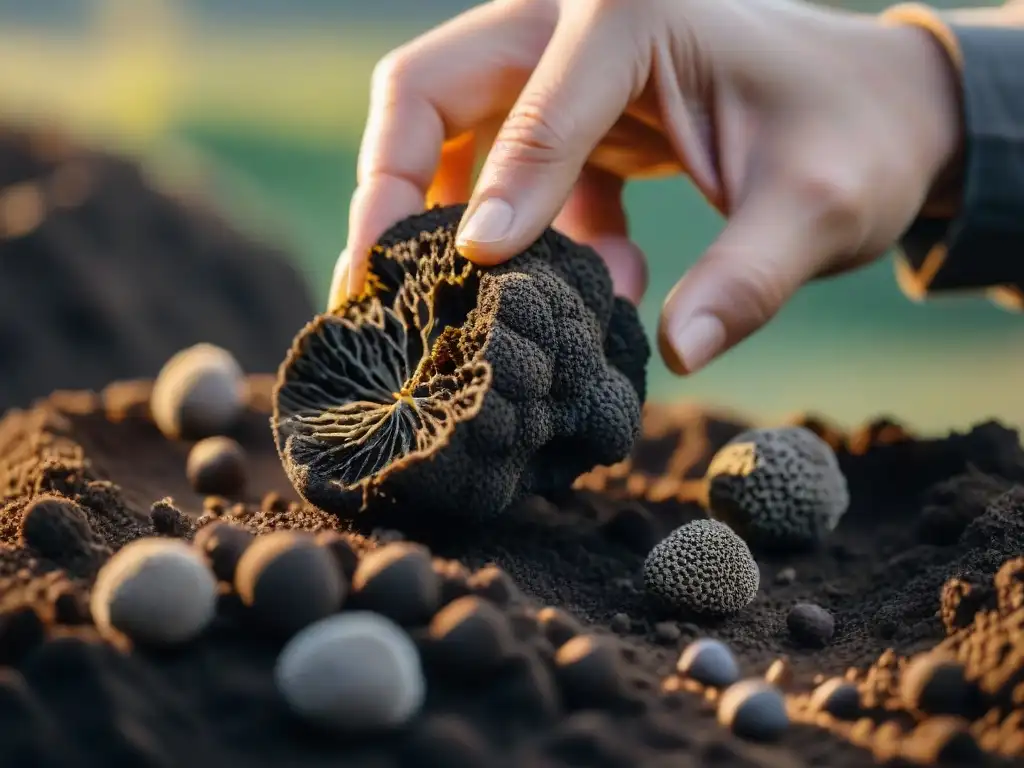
x=820 y=135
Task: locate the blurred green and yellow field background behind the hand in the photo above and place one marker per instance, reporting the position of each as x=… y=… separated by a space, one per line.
x=262 y=104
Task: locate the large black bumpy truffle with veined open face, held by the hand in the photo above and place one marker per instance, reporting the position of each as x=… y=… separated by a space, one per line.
x=453 y=389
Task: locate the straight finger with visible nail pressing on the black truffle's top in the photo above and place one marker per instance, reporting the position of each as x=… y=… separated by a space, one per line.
x=582 y=86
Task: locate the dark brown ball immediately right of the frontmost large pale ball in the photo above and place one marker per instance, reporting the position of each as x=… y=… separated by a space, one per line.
x=471 y=635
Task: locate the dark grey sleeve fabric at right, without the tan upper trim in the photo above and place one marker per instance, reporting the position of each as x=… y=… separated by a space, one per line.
x=984 y=247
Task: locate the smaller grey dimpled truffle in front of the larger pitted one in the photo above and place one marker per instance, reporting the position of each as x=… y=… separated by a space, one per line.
x=703 y=568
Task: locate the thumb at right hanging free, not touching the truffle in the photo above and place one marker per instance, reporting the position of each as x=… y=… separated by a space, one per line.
x=770 y=248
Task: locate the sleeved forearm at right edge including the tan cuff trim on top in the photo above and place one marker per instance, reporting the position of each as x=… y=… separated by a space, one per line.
x=972 y=236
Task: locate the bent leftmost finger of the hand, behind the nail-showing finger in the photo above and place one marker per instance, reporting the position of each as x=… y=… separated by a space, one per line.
x=438 y=88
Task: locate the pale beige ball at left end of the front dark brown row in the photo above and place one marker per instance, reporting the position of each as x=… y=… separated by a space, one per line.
x=157 y=591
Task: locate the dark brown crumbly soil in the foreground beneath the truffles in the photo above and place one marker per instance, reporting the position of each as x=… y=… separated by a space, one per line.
x=911 y=565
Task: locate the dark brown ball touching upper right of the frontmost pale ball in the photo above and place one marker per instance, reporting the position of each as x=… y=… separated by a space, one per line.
x=398 y=581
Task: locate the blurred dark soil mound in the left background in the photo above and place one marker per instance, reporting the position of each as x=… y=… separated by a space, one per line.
x=104 y=277
